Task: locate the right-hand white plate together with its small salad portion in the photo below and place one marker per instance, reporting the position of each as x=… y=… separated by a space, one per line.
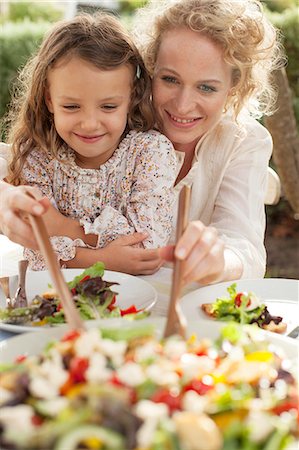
x=272 y=304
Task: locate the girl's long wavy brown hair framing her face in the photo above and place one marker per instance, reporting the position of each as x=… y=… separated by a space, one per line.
x=100 y=40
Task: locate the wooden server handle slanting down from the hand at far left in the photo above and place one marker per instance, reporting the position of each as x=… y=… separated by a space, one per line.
x=71 y=313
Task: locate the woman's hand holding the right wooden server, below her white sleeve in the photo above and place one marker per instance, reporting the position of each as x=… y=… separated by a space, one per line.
x=203 y=253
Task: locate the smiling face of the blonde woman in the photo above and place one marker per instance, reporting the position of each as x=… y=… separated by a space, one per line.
x=190 y=86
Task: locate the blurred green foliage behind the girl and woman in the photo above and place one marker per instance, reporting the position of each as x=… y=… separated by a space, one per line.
x=26 y=22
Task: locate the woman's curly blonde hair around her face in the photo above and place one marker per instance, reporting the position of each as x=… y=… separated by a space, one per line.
x=251 y=45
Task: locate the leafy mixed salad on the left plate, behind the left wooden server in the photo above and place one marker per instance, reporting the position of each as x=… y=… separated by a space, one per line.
x=92 y=295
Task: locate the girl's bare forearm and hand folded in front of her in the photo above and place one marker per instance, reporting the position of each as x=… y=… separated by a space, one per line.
x=121 y=255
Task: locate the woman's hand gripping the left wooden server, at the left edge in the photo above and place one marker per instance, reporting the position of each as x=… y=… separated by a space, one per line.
x=15 y=203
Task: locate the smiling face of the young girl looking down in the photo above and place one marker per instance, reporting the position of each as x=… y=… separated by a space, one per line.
x=90 y=108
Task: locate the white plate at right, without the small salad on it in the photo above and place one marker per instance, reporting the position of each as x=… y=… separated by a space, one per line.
x=280 y=295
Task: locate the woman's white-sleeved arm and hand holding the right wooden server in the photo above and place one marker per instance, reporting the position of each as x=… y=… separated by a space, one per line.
x=232 y=246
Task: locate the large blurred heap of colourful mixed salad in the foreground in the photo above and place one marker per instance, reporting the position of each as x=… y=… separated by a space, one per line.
x=123 y=389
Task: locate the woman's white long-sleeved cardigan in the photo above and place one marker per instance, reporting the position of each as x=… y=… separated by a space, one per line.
x=229 y=181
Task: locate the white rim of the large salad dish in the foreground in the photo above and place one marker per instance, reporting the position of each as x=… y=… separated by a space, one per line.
x=27 y=344
